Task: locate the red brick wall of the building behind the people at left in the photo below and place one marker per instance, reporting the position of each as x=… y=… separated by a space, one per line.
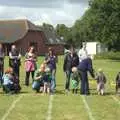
x=38 y=38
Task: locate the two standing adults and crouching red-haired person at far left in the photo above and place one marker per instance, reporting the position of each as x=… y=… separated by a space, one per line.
x=9 y=78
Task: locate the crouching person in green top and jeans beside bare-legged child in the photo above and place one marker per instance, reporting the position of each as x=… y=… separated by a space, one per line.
x=38 y=80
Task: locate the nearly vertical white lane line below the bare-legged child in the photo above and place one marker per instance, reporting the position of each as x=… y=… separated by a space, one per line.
x=50 y=105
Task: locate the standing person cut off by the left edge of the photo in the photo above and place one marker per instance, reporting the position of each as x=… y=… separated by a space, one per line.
x=1 y=62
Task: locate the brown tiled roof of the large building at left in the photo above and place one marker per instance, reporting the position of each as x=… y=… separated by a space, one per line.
x=13 y=30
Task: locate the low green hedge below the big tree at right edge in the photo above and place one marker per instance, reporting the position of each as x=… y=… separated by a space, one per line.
x=108 y=55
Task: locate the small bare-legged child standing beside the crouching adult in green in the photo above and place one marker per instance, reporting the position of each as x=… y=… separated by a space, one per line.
x=47 y=80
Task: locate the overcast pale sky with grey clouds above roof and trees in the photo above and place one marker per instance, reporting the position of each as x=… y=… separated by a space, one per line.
x=48 y=11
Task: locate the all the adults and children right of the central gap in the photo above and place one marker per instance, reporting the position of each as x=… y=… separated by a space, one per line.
x=76 y=66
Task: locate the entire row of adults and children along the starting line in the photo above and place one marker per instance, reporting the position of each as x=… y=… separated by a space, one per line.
x=76 y=67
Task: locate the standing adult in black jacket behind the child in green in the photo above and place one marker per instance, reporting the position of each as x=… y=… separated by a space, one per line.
x=71 y=60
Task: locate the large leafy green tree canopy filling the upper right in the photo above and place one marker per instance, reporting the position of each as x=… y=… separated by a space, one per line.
x=101 y=22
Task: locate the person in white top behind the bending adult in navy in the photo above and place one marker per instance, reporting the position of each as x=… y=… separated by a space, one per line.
x=83 y=53
